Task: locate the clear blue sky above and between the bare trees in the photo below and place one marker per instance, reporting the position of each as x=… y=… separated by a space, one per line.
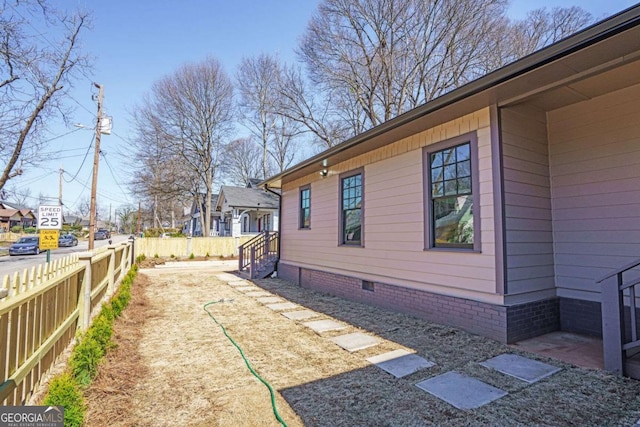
x=137 y=42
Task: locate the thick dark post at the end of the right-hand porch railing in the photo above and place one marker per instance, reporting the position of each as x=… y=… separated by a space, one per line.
x=612 y=324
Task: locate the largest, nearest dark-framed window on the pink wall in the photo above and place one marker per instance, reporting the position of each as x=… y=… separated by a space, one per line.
x=451 y=196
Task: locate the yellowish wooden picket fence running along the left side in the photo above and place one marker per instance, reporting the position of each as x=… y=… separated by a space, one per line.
x=45 y=306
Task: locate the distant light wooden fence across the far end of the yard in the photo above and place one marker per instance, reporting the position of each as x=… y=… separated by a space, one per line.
x=183 y=247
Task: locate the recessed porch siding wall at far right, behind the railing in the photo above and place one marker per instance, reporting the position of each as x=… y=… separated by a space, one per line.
x=595 y=171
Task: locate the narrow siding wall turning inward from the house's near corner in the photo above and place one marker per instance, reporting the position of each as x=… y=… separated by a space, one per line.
x=527 y=214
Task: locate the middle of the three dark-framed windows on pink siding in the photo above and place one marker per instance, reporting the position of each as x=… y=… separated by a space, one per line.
x=351 y=209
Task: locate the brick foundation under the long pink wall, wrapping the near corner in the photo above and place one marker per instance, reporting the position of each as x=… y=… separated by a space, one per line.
x=504 y=324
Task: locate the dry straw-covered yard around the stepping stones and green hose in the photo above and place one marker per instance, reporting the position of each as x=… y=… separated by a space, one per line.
x=174 y=366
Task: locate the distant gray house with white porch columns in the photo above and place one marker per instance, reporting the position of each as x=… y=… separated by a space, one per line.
x=247 y=210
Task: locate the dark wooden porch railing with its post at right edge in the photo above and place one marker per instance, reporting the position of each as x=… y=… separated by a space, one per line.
x=620 y=316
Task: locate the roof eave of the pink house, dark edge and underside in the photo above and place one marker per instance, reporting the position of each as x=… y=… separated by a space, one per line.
x=482 y=92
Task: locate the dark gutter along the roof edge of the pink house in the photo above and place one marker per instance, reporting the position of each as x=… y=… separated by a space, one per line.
x=602 y=30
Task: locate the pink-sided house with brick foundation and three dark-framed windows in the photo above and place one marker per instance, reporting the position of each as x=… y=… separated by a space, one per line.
x=494 y=208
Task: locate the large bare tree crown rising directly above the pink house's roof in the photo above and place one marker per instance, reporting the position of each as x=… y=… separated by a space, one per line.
x=371 y=60
